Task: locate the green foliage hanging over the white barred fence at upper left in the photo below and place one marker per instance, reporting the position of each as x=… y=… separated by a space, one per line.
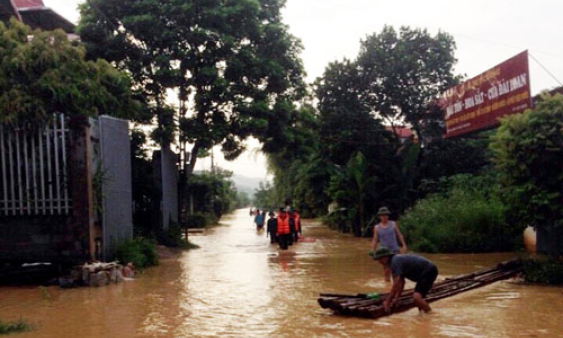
x=42 y=73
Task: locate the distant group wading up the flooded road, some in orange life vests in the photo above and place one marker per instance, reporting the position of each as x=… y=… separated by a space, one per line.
x=284 y=228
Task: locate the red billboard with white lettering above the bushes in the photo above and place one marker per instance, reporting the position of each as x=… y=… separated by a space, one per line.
x=479 y=103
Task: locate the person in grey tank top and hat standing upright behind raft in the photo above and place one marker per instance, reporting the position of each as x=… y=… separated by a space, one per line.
x=387 y=233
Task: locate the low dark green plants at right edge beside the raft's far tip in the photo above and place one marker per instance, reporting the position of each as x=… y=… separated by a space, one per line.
x=544 y=271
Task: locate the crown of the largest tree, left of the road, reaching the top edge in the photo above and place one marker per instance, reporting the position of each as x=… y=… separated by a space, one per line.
x=232 y=65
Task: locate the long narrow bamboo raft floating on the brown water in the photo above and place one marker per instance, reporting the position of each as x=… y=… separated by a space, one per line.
x=361 y=305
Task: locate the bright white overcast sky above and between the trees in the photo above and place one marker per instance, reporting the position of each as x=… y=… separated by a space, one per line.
x=486 y=32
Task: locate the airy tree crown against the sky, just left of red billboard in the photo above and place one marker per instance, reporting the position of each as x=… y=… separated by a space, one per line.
x=403 y=75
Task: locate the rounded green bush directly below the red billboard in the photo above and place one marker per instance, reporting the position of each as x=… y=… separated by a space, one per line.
x=466 y=216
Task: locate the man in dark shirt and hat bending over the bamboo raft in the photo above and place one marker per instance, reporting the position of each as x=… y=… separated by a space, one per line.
x=413 y=267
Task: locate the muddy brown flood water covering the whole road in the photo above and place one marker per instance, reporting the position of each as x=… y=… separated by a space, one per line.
x=238 y=285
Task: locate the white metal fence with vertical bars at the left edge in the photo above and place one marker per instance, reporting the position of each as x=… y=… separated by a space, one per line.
x=34 y=170
